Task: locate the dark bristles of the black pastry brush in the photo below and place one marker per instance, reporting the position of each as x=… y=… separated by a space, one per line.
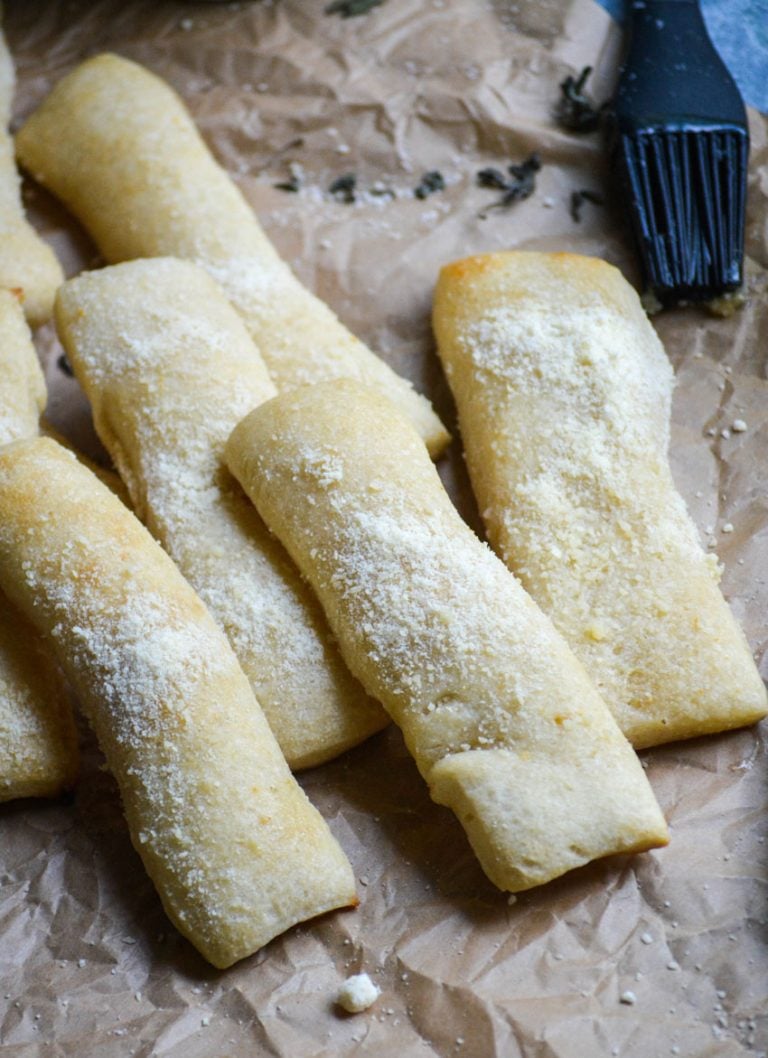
x=688 y=191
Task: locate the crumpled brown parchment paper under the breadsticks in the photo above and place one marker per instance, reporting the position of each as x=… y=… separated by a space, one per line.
x=89 y=963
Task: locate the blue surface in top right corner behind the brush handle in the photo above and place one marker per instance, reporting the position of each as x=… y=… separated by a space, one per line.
x=740 y=31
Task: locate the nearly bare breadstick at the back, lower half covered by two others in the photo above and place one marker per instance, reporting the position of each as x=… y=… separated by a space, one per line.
x=134 y=169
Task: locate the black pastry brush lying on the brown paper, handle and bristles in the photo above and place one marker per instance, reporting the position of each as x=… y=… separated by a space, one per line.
x=682 y=144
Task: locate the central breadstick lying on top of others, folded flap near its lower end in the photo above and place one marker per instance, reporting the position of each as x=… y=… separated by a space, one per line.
x=502 y=720
